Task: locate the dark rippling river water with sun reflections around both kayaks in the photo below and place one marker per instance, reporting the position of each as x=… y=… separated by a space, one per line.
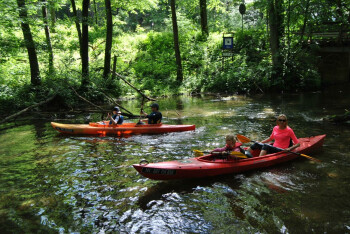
x=51 y=183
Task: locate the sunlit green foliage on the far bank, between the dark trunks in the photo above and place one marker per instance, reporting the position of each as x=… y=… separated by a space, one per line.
x=143 y=44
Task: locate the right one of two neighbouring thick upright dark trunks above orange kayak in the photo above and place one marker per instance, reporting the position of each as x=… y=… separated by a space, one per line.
x=109 y=34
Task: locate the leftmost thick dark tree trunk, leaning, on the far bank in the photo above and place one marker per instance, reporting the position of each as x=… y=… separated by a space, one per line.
x=29 y=42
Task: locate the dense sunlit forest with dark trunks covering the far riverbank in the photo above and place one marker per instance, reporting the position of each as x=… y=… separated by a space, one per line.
x=161 y=47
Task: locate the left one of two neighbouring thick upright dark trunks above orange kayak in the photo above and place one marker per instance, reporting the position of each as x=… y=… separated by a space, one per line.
x=85 y=44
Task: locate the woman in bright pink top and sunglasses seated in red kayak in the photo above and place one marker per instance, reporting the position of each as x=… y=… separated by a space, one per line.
x=283 y=136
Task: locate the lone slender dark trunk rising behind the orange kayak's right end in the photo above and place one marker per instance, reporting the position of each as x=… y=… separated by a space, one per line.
x=179 y=77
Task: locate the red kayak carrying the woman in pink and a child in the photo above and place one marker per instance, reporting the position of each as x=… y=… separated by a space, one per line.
x=210 y=165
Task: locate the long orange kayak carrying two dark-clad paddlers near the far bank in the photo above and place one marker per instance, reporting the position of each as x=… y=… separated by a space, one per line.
x=119 y=130
